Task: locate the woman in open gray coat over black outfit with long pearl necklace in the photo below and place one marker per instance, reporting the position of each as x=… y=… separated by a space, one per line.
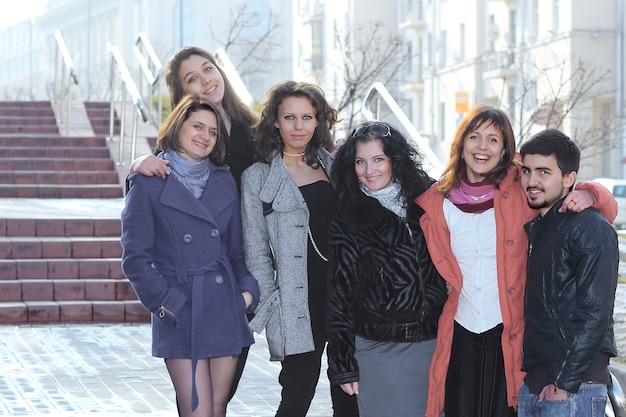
x=287 y=202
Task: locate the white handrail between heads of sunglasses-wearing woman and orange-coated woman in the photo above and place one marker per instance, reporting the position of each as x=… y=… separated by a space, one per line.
x=431 y=162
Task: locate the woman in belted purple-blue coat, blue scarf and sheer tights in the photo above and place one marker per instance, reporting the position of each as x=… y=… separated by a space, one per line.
x=183 y=253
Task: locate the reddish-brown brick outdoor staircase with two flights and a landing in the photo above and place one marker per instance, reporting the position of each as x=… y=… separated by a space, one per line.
x=57 y=267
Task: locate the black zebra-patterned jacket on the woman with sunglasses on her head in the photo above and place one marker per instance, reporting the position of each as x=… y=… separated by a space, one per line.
x=383 y=284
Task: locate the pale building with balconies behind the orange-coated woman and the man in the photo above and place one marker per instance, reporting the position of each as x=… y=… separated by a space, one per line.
x=548 y=63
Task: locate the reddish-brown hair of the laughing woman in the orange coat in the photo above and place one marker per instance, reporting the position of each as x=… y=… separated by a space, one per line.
x=456 y=166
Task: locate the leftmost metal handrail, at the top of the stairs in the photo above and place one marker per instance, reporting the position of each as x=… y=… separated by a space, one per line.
x=62 y=85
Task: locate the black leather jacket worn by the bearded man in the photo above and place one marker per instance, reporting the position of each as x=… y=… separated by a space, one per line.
x=572 y=275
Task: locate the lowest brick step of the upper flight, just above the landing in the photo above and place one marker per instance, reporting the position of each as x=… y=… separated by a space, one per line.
x=61 y=191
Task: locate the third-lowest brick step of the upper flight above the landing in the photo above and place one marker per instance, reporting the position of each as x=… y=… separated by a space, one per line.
x=57 y=164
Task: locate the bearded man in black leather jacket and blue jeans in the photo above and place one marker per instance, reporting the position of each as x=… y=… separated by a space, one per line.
x=570 y=291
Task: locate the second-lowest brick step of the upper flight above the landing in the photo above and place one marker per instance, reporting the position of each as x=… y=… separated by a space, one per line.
x=59 y=177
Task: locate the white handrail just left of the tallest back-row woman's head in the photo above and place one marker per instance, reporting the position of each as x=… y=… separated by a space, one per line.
x=151 y=69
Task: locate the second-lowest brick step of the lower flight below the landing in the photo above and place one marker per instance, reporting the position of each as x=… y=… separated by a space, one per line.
x=66 y=290
